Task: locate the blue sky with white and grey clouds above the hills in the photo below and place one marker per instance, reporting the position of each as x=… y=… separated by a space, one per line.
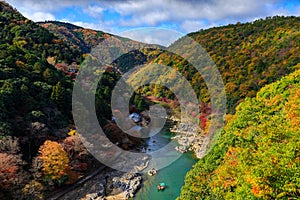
x=116 y=16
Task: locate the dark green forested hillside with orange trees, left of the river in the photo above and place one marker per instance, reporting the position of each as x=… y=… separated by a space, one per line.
x=37 y=72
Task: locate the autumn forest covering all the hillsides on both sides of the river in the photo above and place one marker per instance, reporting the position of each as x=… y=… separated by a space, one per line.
x=255 y=157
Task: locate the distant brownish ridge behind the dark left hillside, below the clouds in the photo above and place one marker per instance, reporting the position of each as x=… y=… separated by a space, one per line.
x=85 y=39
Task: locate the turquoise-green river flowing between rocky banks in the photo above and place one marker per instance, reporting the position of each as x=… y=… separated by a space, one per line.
x=173 y=175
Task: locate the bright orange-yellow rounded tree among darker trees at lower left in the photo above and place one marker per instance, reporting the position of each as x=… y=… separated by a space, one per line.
x=55 y=160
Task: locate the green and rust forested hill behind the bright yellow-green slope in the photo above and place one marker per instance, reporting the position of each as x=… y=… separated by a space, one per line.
x=248 y=55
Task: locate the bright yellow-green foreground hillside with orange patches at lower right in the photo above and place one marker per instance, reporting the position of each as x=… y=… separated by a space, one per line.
x=257 y=154
